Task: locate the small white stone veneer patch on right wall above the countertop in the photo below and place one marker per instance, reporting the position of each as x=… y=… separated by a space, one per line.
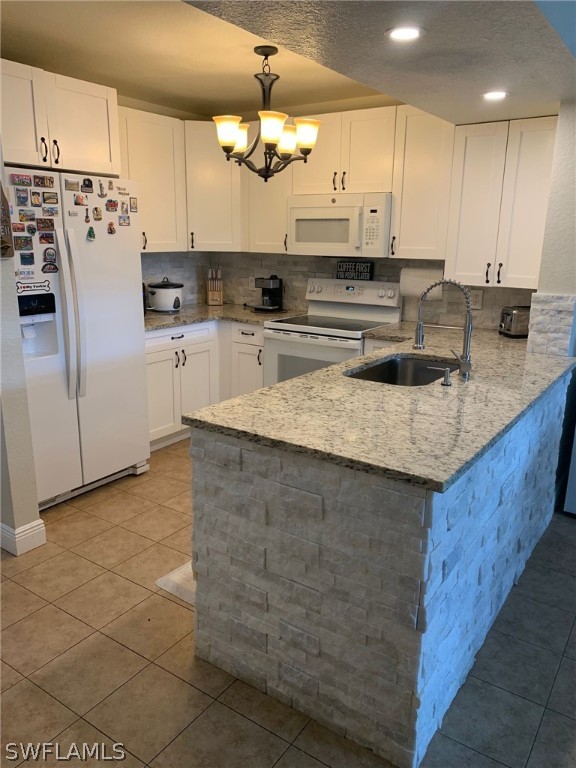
x=553 y=324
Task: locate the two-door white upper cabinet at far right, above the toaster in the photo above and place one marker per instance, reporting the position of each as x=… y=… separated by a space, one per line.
x=500 y=186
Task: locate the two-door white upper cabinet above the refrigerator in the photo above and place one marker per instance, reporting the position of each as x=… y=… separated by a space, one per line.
x=58 y=122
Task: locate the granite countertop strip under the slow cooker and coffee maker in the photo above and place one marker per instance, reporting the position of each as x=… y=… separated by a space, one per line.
x=201 y=313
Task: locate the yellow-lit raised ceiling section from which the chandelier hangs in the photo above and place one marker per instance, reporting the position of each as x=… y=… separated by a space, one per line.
x=167 y=54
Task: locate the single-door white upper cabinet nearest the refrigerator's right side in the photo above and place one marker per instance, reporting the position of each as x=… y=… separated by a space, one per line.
x=153 y=155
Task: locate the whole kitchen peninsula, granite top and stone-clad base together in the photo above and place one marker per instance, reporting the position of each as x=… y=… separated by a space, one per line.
x=354 y=541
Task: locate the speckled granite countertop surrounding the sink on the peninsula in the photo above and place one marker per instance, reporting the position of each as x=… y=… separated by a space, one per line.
x=427 y=436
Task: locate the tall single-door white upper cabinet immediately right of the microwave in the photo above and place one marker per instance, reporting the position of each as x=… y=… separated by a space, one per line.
x=421 y=185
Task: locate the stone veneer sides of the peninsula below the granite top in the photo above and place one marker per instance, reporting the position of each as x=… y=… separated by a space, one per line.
x=360 y=601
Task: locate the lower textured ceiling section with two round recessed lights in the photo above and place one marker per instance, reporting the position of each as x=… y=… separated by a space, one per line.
x=469 y=47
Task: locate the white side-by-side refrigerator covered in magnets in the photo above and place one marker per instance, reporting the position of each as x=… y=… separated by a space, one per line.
x=79 y=286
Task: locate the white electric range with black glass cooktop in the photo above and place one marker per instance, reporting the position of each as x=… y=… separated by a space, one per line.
x=340 y=312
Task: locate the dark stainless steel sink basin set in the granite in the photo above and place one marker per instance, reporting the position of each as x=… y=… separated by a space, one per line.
x=405 y=371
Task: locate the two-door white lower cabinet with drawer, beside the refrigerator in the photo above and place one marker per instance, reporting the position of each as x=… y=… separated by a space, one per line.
x=182 y=375
